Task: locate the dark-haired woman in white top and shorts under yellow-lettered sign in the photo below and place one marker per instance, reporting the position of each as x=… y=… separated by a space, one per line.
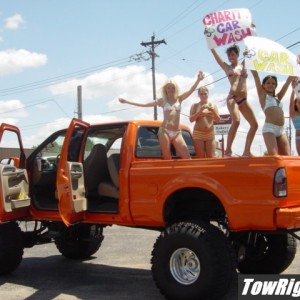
x=273 y=130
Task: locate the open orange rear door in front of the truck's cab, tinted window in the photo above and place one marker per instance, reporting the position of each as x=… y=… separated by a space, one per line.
x=70 y=177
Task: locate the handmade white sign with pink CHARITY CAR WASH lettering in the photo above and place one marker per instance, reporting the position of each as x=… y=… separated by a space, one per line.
x=227 y=27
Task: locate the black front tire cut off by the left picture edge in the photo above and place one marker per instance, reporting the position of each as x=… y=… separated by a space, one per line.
x=11 y=247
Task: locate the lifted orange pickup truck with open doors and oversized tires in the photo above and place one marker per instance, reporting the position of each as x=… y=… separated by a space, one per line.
x=214 y=215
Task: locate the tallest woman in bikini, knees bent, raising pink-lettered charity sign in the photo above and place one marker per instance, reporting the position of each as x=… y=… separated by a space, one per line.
x=237 y=99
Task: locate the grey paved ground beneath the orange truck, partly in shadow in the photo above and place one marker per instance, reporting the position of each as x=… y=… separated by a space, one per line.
x=120 y=270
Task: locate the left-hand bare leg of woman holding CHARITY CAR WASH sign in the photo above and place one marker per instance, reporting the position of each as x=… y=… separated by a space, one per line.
x=235 y=115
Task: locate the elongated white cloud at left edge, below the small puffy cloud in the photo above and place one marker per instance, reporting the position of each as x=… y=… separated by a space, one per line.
x=12 y=60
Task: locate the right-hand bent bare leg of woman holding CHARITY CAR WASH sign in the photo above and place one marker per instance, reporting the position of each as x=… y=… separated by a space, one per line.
x=248 y=114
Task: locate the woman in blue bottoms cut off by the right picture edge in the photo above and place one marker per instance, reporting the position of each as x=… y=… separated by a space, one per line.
x=295 y=114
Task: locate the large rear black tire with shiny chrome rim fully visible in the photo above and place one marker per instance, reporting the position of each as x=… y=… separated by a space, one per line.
x=191 y=261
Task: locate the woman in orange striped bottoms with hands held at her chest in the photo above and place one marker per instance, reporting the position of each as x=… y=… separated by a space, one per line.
x=204 y=114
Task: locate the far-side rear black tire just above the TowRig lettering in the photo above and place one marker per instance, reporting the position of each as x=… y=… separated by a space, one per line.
x=267 y=253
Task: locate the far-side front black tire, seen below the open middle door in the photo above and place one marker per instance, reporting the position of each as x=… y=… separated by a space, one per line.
x=81 y=242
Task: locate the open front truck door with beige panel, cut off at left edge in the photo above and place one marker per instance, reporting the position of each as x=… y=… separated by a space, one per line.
x=14 y=199
